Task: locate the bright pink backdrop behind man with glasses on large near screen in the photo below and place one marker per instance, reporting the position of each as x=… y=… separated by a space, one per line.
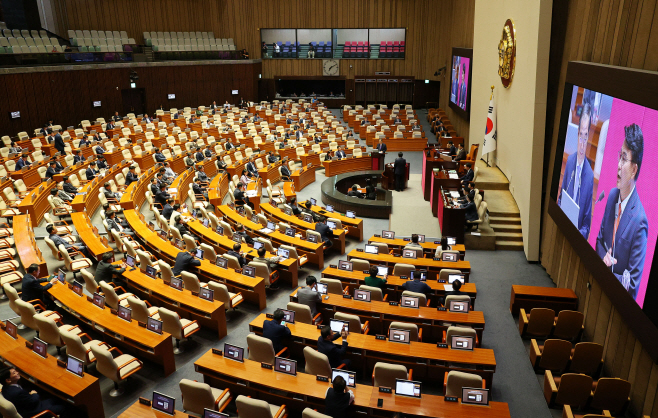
x=624 y=114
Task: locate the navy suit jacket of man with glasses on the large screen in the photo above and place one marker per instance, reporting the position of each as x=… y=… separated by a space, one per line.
x=631 y=239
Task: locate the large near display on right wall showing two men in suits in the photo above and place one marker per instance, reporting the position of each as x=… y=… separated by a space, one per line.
x=607 y=180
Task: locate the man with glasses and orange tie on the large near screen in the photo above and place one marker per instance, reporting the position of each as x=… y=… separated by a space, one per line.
x=622 y=239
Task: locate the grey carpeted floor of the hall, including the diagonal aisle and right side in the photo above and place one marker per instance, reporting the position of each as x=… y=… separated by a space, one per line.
x=492 y=272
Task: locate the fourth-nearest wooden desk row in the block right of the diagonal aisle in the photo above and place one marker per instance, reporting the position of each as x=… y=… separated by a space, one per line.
x=354 y=279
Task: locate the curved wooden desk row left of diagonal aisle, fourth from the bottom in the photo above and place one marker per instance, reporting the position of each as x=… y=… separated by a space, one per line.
x=253 y=289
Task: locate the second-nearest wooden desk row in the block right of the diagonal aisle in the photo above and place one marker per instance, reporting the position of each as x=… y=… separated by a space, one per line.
x=427 y=360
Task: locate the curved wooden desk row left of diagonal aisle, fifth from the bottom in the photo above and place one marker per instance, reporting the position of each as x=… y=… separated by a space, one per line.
x=288 y=269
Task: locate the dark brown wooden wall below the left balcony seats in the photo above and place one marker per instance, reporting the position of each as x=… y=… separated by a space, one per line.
x=66 y=96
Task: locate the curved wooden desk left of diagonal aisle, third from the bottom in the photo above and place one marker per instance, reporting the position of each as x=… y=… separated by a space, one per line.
x=207 y=314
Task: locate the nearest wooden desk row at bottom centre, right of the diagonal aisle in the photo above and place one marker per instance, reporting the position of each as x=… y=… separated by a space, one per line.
x=304 y=391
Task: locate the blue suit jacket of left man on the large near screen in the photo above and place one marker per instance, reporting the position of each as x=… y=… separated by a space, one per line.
x=585 y=193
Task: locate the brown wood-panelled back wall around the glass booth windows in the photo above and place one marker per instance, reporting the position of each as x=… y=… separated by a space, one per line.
x=433 y=28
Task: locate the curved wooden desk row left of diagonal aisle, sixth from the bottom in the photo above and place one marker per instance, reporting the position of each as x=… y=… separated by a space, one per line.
x=314 y=251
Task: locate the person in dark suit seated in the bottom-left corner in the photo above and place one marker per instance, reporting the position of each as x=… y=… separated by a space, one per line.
x=29 y=404
